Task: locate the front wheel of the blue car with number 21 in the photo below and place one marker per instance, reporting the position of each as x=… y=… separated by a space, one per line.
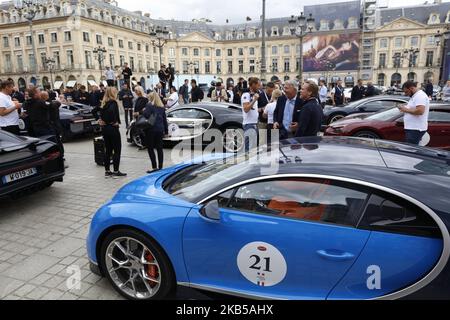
x=138 y=243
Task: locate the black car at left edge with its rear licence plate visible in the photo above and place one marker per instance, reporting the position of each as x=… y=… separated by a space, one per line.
x=27 y=164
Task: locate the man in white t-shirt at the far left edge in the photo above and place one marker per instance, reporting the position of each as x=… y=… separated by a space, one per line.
x=9 y=116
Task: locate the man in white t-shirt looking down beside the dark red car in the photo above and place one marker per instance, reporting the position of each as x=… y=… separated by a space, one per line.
x=416 y=113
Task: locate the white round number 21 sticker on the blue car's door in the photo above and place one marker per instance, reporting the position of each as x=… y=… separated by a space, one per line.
x=262 y=264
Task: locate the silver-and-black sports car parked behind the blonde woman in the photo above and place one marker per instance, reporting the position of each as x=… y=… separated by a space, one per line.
x=194 y=123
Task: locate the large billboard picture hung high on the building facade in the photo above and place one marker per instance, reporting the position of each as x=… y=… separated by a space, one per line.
x=331 y=52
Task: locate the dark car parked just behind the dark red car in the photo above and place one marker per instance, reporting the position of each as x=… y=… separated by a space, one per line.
x=368 y=105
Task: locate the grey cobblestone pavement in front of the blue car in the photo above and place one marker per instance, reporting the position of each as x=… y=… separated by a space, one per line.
x=42 y=236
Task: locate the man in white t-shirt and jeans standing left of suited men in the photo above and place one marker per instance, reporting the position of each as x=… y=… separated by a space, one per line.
x=250 y=112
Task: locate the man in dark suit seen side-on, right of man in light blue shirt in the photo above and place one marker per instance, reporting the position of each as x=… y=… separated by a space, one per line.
x=309 y=120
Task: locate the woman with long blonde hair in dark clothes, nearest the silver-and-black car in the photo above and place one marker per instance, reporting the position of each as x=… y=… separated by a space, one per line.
x=154 y=136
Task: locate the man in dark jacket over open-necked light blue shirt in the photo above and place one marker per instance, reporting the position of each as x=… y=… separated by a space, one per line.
x=288 y=108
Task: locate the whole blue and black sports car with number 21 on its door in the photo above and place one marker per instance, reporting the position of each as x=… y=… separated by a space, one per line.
x=330 y=219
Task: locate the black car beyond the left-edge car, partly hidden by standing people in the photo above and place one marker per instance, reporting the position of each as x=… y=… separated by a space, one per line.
x=76 y=119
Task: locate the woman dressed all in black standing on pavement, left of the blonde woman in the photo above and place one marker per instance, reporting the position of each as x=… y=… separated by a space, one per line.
x=109 y=120
